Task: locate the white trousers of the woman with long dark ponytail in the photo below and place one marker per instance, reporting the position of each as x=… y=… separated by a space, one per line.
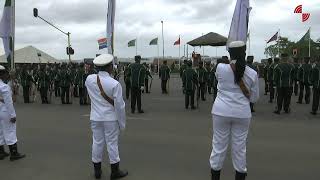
x=224 y=130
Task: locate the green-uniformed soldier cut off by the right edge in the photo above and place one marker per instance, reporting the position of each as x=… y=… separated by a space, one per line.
x=315 y=79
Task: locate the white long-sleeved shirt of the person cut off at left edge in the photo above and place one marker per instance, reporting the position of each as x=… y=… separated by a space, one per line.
x=6 y=95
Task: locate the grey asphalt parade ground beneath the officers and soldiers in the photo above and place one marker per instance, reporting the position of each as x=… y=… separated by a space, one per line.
x=168 y=142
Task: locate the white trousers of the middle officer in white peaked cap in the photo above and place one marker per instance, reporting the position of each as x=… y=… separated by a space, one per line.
x=105 y=133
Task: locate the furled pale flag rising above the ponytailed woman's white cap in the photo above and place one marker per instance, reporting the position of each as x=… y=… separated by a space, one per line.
x=240 y=22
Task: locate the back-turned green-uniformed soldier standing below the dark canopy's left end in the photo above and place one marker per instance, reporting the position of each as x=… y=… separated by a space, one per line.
x=190 y=80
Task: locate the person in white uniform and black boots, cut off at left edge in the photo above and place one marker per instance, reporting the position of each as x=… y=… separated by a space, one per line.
x=8 y=135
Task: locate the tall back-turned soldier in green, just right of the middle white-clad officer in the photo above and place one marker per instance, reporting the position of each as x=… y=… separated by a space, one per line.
x=136 y=74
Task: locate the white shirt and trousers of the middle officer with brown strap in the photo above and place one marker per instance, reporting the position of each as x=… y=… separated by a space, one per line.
x=106 y=120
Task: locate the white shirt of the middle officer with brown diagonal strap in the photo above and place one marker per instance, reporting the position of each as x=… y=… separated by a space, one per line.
x=101 y=109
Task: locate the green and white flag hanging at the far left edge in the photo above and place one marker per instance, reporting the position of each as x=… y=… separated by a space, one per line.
x=7 y=29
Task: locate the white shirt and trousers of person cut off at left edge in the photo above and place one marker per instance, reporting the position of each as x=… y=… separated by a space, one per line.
x=7 y=129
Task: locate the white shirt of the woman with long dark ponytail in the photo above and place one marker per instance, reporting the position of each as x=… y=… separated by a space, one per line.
x=230 y=101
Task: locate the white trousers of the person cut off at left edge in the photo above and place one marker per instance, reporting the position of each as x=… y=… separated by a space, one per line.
x=8 y=131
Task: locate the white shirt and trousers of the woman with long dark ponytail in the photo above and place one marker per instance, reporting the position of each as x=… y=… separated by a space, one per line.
x=231 y=115
